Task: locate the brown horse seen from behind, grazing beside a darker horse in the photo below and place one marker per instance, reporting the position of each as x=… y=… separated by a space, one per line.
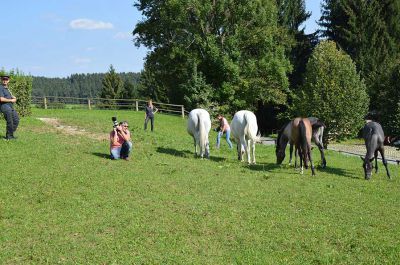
x=297 y=132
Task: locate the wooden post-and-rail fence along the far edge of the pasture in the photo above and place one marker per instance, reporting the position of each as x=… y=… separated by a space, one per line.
x=51 y=102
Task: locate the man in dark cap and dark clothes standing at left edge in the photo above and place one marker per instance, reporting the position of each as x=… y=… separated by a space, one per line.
x=7 y=101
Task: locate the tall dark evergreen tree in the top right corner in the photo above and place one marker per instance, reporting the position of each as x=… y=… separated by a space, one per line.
x=369 y=32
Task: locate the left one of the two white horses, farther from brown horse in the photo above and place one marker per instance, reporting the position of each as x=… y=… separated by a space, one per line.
x=198 y=126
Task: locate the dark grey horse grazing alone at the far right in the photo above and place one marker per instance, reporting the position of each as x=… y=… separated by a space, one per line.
x=374 y=137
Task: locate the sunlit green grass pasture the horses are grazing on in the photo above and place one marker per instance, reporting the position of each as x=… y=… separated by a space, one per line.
x=63 y=201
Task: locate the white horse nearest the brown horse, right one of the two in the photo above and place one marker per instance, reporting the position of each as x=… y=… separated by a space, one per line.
x=244 y=129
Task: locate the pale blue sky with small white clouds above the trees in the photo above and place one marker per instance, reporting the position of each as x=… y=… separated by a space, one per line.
x=57 y=38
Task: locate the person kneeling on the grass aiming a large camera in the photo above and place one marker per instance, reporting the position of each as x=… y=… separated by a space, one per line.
x=120 y=141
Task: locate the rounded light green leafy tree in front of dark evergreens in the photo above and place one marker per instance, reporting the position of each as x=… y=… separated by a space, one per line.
x=334 y=92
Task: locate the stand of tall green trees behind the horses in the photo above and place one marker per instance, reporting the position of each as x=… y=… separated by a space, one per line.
x=230 y=55
